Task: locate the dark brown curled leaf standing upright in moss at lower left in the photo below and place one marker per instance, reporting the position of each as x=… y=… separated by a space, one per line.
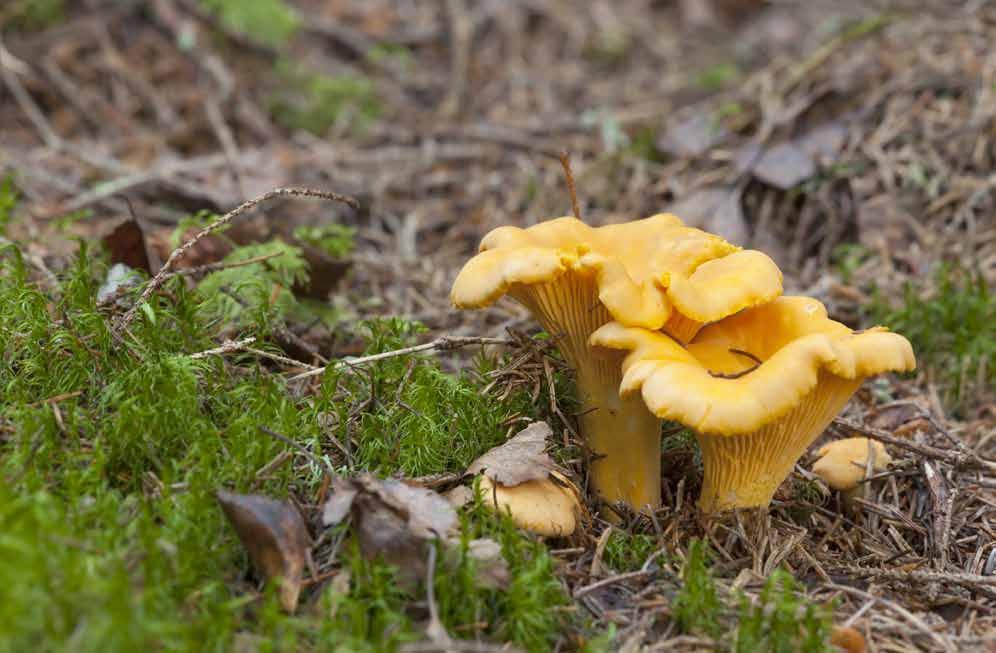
x=275 y=537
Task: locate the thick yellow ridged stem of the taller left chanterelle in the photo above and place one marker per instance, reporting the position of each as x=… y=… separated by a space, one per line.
x=624 y=437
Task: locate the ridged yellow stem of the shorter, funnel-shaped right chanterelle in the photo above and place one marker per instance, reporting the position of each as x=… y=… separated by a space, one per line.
x=744 y=471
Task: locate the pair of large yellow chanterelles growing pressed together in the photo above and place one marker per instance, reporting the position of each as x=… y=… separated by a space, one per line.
x=661 y=321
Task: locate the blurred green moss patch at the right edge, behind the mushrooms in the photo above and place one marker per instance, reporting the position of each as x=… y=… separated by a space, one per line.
x=949 y=324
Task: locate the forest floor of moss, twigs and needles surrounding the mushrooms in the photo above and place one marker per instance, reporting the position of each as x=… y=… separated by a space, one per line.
x=853 y=142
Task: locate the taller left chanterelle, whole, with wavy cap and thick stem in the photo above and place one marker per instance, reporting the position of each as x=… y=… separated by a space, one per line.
x=653 y=273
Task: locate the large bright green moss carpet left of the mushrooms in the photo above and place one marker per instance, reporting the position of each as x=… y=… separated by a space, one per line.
x=109 y=531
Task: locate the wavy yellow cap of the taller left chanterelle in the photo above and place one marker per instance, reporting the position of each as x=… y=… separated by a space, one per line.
x=643 y=269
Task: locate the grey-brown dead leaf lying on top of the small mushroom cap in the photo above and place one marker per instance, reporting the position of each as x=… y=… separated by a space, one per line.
x=523 y=458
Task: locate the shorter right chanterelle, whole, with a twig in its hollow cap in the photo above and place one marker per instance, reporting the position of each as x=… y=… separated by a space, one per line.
x=758 y=387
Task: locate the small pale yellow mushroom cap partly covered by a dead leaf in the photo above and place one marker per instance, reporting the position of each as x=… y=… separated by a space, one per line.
x=542 y=506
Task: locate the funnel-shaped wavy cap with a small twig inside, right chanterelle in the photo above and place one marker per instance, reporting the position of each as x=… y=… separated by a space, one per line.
x=716 y=385
